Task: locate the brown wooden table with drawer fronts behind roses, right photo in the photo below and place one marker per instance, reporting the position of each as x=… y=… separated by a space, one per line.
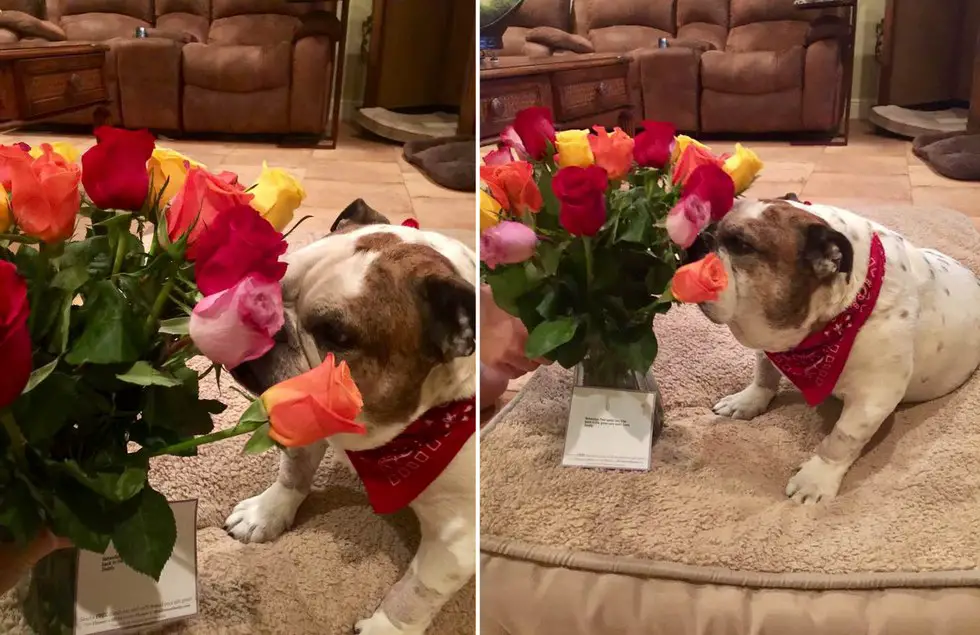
x=581 y=91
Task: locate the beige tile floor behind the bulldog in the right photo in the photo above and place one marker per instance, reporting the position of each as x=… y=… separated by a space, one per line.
x=870 y=168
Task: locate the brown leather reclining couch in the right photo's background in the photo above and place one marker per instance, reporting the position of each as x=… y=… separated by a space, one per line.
x=732 y=66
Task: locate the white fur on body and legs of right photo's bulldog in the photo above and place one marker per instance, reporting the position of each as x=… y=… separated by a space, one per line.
x=921 y=341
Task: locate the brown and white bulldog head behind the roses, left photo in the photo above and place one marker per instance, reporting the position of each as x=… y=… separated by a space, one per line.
x=383 y=299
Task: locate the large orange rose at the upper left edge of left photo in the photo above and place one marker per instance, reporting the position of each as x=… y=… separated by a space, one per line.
x=44 y=195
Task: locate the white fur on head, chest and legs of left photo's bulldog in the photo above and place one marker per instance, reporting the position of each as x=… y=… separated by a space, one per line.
x=446 y=558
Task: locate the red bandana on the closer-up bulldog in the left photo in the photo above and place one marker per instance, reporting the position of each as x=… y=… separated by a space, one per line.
x=398 y=471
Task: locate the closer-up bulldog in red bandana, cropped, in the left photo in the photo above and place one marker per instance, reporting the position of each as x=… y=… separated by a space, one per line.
x=398 y=305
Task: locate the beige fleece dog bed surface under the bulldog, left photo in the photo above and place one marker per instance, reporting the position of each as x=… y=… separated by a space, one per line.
x=332 y=569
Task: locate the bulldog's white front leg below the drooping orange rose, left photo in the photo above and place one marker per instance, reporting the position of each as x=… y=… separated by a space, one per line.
x=264 y=517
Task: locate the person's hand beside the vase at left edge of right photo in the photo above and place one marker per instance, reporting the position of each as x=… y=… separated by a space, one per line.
x=502 y=339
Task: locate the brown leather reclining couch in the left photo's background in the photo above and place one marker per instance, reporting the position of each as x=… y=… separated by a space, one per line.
x=237 y=66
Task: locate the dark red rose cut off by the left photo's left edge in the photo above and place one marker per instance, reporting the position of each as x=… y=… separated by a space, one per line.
x=15 y=339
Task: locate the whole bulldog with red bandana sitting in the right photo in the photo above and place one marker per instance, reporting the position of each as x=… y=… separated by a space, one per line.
x=840 y=306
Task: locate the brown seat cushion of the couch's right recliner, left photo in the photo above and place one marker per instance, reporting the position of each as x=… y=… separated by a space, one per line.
x=237 y=69
